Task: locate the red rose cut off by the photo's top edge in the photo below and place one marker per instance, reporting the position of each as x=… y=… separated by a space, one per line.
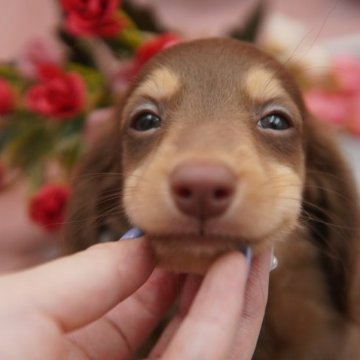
x=92 y=17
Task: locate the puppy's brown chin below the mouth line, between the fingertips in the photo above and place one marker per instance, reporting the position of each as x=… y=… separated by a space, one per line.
x=187 y=256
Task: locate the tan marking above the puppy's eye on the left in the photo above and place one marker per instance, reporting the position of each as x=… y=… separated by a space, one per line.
x=161 y=83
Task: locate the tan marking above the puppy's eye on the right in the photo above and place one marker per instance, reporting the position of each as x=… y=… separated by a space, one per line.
x=262 y=85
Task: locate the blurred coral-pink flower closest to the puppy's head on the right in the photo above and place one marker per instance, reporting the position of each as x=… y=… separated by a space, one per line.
x=329 y=106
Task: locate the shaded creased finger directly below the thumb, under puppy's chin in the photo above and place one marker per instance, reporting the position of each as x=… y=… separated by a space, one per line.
x=124 y=328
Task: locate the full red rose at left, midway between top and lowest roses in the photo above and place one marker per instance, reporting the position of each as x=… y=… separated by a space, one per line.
x=59 y=94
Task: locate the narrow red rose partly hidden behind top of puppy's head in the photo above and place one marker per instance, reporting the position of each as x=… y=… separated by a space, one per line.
x=154 y=46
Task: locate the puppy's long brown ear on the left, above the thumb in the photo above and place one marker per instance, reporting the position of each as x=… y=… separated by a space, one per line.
x=95 y=206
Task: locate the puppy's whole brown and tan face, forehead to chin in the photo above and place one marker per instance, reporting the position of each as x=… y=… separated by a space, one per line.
x=213 y=160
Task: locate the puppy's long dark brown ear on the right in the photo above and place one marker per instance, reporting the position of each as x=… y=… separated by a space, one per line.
x=331 y=207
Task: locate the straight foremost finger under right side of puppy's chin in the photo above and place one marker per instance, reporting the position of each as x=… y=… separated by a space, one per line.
x=209 y=329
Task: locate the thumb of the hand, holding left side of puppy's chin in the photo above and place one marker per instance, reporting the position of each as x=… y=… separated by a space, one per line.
x=75 y=290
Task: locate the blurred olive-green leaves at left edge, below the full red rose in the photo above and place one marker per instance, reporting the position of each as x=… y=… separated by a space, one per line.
x=29 y=141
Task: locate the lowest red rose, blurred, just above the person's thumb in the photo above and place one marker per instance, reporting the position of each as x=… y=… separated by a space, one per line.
x=47 y=207
